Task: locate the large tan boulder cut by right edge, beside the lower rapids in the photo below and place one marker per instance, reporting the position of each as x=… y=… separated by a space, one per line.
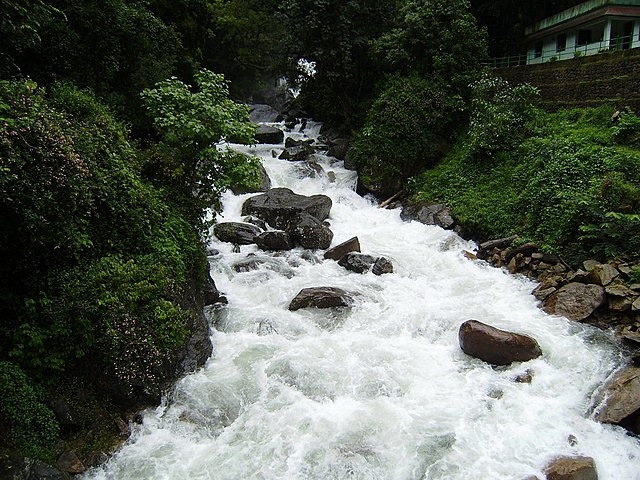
x=620 y=397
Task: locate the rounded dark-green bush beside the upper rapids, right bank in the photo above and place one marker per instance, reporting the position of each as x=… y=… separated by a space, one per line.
x=408 y=129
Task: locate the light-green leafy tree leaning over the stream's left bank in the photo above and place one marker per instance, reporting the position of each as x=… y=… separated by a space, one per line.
x=190 y=124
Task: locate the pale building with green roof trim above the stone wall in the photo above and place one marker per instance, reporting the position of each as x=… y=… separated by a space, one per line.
x=589 y=28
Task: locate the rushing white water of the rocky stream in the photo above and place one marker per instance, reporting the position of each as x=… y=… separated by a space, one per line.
x=380 y=390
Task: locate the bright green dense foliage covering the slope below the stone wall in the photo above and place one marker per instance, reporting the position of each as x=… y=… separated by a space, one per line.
x=571 y=185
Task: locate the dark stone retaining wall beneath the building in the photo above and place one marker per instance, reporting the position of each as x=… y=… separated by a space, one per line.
x=606 y=78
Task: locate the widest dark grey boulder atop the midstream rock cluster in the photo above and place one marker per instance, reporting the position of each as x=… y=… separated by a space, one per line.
x=279 y=206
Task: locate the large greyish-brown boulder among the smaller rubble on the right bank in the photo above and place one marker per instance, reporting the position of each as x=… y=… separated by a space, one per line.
x=576 y=301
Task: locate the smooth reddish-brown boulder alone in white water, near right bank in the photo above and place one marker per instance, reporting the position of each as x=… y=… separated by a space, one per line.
x=496 y=346
